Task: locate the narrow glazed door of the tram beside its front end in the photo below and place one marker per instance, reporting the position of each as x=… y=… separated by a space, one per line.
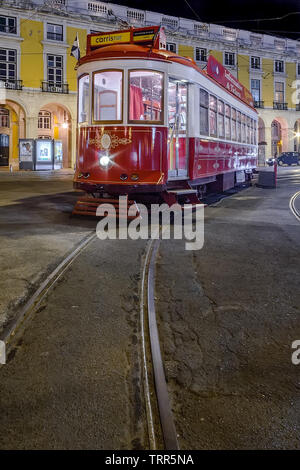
x=177 y=138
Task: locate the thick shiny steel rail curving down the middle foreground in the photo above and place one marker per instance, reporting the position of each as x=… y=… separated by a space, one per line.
x=165 y=412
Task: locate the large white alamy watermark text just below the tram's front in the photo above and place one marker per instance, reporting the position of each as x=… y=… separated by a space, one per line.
x=159 y=221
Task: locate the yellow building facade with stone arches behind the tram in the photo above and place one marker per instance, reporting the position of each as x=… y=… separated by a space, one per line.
x=38 y=85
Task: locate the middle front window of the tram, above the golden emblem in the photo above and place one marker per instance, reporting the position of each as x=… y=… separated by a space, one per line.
x=108 y=86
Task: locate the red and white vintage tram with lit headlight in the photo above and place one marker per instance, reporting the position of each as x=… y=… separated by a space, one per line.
x=153 y=125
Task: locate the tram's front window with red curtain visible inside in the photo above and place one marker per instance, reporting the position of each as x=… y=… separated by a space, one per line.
x=145 y=96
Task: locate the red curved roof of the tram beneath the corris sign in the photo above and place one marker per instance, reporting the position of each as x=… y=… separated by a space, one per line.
x=136 y=51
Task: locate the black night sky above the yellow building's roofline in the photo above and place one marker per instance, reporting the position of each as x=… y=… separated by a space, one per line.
x=229 y=12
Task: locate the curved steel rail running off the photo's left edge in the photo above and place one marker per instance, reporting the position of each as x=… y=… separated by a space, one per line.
x=35 y=300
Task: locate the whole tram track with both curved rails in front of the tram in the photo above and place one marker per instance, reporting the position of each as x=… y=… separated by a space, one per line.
x=156 y=396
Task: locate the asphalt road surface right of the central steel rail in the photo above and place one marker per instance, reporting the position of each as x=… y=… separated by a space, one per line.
x=228 y=316
